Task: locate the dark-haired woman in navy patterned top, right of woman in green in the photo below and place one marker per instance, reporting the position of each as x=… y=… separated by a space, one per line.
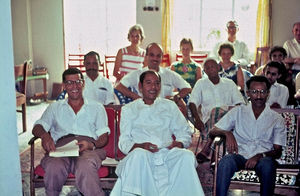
x=228 y=68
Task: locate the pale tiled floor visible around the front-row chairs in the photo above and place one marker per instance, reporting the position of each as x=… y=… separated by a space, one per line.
x=34 y=112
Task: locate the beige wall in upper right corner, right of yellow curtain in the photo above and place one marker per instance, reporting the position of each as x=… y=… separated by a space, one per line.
x=284 y=15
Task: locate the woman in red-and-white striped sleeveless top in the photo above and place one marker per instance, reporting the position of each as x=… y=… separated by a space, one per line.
x=131 y=57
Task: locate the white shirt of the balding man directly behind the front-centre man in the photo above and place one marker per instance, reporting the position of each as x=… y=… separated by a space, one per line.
x=169 y=80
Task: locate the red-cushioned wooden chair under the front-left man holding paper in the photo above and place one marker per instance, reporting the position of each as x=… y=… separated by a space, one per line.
x=106 y=172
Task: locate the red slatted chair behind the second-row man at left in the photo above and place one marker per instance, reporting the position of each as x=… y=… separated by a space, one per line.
x=77 y=61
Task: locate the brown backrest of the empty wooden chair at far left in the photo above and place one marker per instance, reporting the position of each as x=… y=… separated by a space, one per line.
x=21 y=71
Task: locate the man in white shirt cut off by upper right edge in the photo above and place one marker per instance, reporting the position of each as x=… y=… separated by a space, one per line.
x=292 y=48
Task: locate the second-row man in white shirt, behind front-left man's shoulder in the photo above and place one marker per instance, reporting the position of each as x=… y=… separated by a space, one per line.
x=97 y=87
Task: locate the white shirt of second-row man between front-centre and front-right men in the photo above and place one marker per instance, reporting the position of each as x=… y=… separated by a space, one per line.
x=225 y=93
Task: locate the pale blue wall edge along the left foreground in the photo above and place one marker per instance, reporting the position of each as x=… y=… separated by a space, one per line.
x=10 y=172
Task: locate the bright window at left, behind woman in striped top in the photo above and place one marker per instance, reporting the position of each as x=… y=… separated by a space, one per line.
x=96 y=25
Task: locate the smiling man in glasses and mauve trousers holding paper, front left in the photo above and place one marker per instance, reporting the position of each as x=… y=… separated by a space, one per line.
x=67 y=120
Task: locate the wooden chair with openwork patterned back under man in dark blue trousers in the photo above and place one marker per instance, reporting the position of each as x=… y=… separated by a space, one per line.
x=288 y=170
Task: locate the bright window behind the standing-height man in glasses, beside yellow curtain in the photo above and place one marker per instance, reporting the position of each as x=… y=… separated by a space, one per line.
x=204 y=21
